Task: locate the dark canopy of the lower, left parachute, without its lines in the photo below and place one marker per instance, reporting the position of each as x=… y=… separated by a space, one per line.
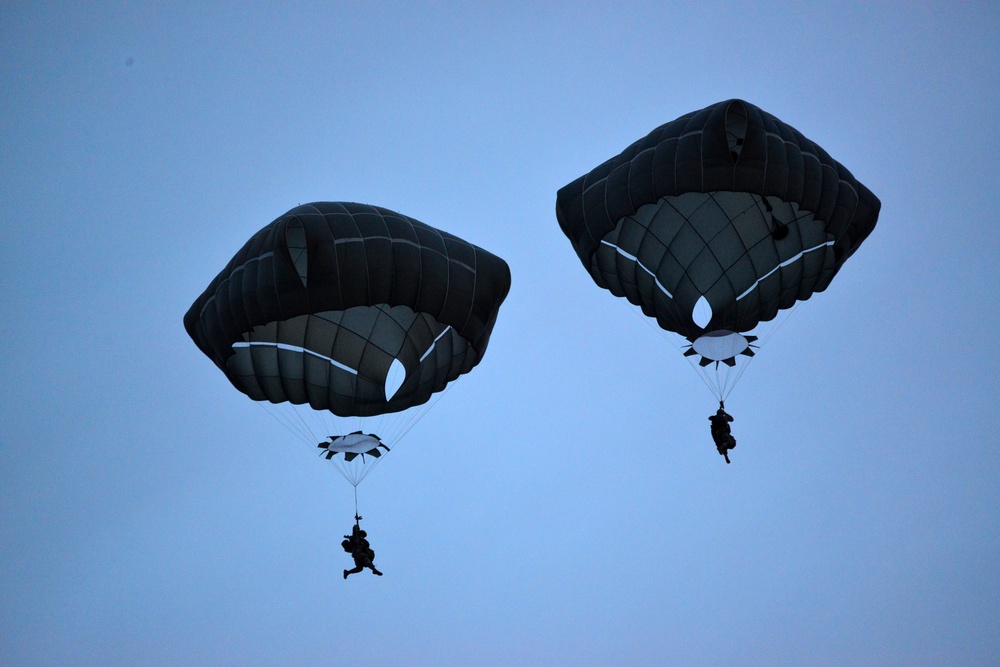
x=349 y=308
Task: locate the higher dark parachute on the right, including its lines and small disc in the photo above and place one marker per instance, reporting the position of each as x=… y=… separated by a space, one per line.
x=714 y=223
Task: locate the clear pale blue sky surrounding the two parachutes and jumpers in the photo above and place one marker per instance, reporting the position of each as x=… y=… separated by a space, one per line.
x=563 y=503
